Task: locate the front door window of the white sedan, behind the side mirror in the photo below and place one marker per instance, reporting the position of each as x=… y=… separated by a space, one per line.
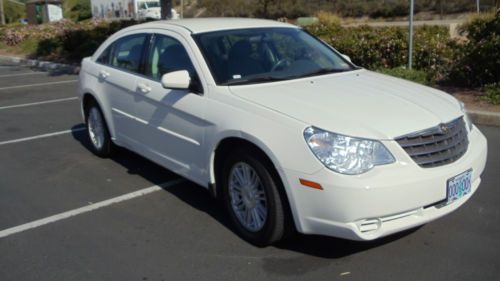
x=167 y=55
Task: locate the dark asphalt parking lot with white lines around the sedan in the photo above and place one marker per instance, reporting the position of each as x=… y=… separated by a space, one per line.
x=60 y=218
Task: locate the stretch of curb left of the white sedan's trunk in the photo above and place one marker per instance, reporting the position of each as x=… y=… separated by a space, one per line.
x=51 y=67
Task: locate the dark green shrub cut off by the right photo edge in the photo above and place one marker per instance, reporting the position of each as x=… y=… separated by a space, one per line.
x=478 y=62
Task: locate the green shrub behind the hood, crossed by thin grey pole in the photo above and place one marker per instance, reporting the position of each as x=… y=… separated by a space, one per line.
x=387 y=47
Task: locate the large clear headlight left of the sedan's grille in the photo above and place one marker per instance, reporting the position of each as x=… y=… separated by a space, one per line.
x=346 y=155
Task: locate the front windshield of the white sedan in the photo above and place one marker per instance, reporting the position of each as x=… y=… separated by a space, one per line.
x=248 y=56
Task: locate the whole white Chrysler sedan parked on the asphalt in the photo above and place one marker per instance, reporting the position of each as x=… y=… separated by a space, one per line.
x=284 y=129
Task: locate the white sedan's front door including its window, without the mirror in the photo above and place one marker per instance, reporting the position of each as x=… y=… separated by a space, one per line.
x=173 y=128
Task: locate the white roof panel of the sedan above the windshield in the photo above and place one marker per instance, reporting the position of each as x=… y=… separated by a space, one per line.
x=201 y=25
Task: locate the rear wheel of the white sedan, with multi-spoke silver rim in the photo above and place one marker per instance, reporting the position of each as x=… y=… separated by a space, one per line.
x=98 y=132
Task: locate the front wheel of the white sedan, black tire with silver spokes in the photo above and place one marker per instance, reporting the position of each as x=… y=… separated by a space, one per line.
x=252 y=199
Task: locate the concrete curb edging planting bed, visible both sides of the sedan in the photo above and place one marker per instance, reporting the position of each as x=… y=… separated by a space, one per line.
x=478 y=117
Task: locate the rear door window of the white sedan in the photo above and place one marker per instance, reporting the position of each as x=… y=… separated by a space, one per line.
x=127 y=52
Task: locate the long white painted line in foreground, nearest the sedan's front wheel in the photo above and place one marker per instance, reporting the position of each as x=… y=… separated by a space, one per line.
x=86 y=209
